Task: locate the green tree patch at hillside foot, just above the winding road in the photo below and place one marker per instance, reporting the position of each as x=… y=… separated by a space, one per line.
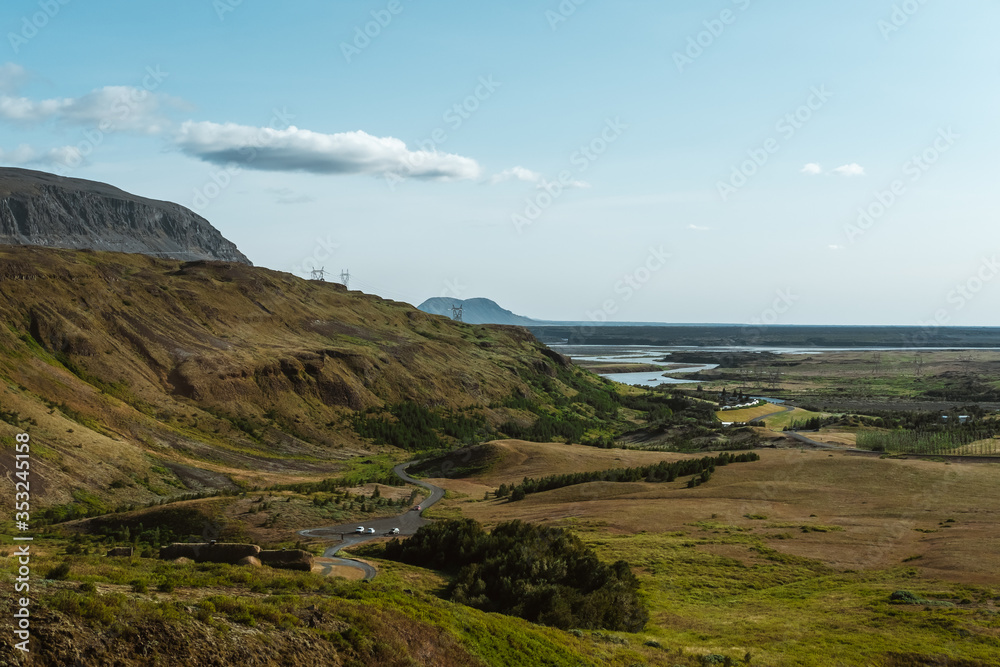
x=413 y=427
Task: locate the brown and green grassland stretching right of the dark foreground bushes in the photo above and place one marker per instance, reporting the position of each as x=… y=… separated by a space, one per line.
x=791 y=559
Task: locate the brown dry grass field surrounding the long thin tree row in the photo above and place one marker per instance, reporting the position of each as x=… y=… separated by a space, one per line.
x=879 y=505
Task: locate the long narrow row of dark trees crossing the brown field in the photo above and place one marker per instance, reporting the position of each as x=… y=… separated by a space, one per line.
x=664 y=471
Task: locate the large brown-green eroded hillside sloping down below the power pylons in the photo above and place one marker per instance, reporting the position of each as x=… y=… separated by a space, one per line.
x=140 y=378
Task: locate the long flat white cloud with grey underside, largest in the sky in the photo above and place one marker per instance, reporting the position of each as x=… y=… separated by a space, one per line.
x=293 y=149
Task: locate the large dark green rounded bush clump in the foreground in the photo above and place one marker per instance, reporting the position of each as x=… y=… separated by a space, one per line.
x=544 y=575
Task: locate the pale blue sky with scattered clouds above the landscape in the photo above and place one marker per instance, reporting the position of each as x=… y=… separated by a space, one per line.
x=723 y=161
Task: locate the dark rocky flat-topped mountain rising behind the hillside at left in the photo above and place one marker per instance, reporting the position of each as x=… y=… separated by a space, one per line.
x=42 y=209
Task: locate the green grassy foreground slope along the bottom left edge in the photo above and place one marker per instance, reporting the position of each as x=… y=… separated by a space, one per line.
x=143 y=612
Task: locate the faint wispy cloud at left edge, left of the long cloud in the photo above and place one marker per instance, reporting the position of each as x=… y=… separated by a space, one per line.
x=111 y=108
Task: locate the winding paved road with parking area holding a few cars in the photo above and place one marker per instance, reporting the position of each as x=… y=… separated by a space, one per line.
x=408 y=522
